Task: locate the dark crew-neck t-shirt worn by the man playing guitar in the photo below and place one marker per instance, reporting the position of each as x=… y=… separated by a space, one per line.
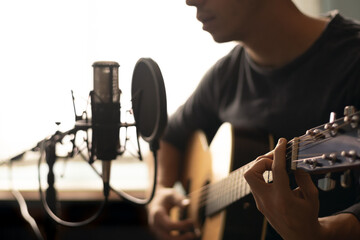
x=284 y=102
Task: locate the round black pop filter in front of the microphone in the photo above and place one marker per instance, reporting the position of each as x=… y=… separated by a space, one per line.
x=149 y=99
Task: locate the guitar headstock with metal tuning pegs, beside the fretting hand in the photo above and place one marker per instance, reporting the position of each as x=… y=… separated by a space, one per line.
x=332 y=147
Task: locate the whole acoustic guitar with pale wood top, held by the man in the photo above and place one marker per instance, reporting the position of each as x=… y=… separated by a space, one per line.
x=212 y=176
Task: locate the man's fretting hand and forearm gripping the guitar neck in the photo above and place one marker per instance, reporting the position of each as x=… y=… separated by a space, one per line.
x=294 y=213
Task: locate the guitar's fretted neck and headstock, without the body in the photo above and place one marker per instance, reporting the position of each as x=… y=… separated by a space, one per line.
x=327 y=148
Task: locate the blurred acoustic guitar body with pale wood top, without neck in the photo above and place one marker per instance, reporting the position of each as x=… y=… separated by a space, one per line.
x=205 y=165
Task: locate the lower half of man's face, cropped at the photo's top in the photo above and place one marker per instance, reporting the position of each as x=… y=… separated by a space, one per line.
x=227 y=20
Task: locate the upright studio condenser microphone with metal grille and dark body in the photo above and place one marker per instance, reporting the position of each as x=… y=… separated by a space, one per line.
x=105 y=108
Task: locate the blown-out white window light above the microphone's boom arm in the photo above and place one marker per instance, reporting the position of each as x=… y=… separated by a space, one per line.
x=47 y=49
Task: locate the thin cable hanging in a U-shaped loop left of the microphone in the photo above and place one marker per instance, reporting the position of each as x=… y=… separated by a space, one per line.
x=52 y=214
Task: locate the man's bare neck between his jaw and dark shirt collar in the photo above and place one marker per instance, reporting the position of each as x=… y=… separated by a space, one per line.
x=288 y=37
